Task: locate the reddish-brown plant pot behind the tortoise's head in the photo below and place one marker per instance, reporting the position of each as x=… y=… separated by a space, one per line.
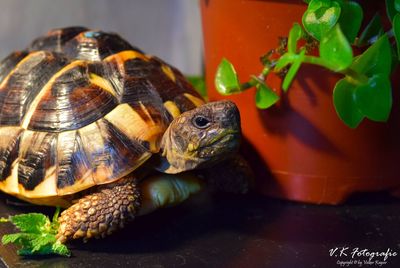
x=300 y=150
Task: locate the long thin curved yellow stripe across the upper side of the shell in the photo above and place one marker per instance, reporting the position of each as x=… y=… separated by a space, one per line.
x=28 y=115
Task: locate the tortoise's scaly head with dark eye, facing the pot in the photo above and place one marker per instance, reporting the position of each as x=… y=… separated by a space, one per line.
x=201 y=137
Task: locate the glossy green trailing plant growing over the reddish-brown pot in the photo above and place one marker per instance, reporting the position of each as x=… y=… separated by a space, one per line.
x=332 y=27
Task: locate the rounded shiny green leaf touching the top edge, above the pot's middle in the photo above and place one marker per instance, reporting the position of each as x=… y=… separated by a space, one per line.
x=320 y=17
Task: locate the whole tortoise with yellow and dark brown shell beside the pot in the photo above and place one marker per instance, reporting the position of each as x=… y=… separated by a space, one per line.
x=93 y=124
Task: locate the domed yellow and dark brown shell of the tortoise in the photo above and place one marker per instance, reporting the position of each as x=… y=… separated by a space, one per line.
x=80 y=108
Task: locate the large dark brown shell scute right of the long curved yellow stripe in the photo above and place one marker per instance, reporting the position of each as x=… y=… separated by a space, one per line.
x=71 y=101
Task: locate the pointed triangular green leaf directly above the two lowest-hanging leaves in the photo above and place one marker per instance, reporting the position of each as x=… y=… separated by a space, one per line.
x=376 y=59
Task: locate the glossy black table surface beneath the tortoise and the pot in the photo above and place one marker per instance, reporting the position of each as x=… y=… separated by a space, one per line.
x=224 y=230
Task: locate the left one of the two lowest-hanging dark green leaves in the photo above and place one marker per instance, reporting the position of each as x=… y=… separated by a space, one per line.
x=345 y=106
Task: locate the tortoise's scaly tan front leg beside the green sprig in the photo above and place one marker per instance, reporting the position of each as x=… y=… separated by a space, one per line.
x=102 y=212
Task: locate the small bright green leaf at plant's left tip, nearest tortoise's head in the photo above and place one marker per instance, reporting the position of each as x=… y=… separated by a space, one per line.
x=226 y=79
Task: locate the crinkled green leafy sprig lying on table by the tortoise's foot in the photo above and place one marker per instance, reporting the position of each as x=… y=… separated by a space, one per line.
x=37 y=236
